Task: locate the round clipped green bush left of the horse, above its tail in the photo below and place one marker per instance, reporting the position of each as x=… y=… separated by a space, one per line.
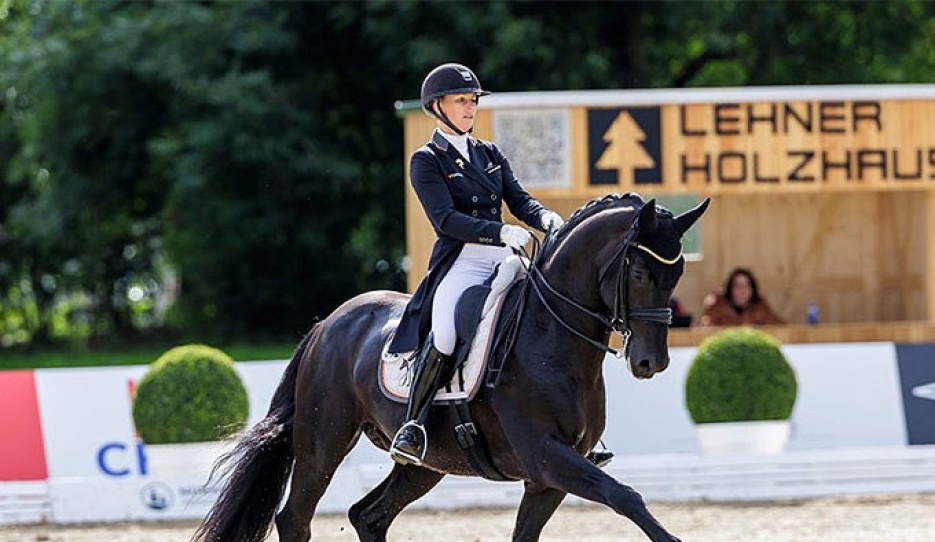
x=192 y=393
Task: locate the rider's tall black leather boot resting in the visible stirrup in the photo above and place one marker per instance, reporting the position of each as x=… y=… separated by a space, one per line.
x=410 y=442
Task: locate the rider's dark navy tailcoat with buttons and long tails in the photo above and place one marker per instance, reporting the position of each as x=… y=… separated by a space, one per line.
x=463 y=201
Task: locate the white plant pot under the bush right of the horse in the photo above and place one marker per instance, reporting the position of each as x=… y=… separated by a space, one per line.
x=759 y=437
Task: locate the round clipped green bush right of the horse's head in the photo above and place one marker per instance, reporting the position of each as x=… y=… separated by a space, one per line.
x=740 y=374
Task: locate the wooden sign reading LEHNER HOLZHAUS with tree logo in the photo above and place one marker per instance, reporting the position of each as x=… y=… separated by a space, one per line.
x=764 y=146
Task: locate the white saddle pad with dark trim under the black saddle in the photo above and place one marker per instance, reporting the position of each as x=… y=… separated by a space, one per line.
x=396 y=369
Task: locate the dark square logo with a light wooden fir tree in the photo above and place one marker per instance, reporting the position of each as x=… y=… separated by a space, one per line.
x=624 y=146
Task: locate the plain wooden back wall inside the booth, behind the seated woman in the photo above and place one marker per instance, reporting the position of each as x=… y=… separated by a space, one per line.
x=860 y=257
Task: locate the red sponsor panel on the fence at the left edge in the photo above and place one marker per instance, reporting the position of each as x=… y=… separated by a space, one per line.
x=22 y=451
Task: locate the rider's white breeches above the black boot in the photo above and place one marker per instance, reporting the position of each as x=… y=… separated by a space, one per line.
x=473 y=266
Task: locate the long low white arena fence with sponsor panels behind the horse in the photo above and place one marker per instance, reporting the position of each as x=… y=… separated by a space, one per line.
x=864 y=423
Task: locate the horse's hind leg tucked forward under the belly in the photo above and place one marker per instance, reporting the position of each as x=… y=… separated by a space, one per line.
x=372 y=515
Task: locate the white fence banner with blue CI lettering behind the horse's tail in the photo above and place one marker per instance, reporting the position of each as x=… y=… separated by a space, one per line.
x=99 y=470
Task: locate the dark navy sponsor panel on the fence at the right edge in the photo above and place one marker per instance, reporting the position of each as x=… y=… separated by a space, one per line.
x=917 y=379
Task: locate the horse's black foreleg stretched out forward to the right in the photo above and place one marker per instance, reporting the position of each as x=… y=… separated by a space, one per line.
x=568 y=471
